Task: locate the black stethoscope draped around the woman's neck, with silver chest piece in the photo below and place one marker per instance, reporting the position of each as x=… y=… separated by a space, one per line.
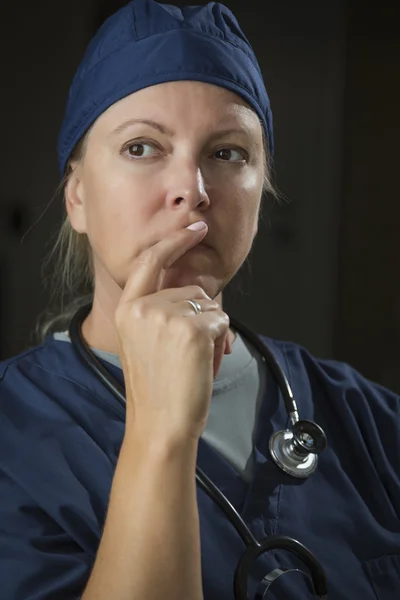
x=294 y=450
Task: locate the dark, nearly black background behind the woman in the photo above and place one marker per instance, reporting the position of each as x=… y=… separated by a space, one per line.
x=324 y=271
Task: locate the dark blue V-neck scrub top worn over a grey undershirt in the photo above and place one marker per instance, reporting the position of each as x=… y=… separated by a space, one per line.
x=60 y=435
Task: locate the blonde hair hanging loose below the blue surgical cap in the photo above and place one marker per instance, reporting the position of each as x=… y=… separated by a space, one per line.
x=72 y=278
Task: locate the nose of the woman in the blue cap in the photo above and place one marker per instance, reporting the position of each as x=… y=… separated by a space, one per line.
x=187 y=189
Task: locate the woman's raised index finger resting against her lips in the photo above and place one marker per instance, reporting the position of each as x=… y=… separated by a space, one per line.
x=147 y=272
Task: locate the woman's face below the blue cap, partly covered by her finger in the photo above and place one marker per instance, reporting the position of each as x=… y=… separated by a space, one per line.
x=159 y=160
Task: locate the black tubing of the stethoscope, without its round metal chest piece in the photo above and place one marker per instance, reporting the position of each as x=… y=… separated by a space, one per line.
x=254 y=548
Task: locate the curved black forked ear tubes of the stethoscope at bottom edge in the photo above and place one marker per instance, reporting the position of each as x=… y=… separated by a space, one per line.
x=278 y=542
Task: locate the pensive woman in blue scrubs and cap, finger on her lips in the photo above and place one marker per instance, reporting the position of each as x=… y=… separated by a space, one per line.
x=165 y=151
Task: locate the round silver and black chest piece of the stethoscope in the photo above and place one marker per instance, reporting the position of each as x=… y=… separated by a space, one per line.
x=296 y=451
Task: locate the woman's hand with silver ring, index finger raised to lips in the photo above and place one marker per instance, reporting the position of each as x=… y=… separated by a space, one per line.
x=170 y=356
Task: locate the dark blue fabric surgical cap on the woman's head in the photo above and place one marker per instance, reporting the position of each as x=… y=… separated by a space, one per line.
x=146 y=43
